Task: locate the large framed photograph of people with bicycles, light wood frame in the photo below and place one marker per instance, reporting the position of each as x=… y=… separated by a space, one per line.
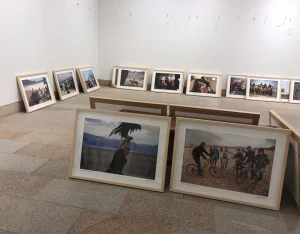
x=231 y=162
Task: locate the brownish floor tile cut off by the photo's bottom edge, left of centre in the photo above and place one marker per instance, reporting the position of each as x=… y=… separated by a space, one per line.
x=97 y=222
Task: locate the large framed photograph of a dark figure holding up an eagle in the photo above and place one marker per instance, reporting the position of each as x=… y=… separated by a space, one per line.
x=120 y=148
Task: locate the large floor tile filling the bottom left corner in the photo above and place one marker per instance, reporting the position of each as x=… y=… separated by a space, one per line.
x=28 y=216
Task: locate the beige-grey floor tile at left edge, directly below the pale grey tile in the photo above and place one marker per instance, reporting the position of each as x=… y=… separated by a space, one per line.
x=20 y=184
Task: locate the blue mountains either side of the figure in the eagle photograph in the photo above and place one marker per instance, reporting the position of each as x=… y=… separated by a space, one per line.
x=102 y=142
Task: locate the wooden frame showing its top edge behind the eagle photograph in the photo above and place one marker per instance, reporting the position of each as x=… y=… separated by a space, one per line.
x=138 y=106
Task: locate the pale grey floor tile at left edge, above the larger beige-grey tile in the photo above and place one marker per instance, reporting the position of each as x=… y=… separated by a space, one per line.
x=20 y=163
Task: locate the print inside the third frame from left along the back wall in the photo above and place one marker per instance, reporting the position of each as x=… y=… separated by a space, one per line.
x=203 y=84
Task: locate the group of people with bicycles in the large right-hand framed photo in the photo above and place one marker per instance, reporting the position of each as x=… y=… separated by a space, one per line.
x=257 y=162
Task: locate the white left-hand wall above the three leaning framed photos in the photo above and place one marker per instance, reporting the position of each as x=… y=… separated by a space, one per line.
x=42 y=35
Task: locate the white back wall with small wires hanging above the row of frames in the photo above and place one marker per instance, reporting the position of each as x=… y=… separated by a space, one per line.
x=227 y=45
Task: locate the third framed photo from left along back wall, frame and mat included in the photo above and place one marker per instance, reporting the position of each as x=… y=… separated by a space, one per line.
x=204 y=85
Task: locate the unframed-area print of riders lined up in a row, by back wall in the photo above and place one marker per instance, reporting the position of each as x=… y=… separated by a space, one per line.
x=263 y=88
